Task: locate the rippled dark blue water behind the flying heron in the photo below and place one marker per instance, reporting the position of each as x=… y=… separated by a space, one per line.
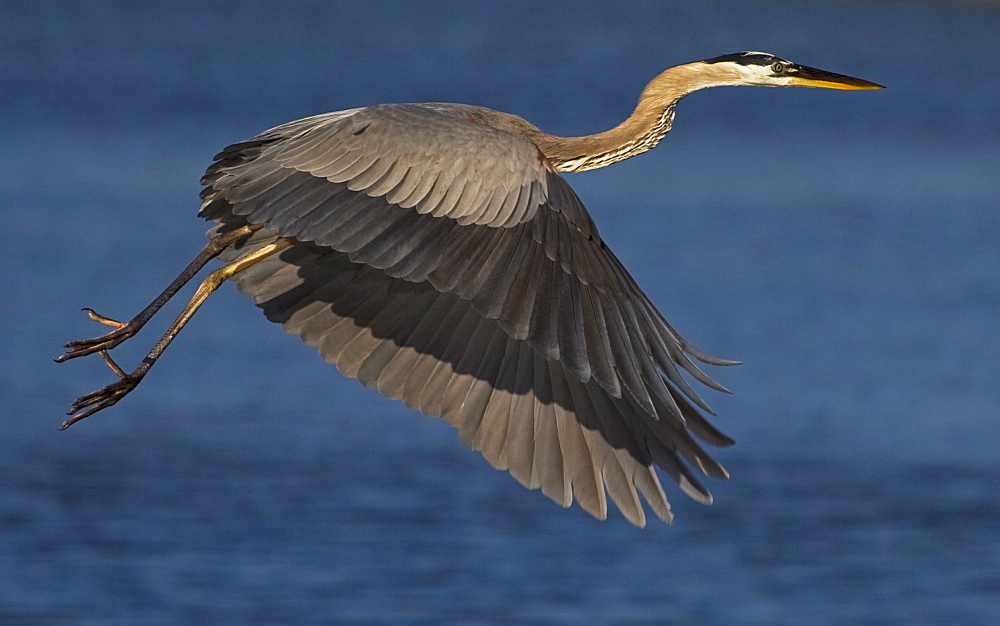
x=846 y=246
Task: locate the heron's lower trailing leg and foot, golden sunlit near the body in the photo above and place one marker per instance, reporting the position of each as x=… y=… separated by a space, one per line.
x=87 y=405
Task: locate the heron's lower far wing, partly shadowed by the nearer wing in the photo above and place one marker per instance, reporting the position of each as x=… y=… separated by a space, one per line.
x=434 y=351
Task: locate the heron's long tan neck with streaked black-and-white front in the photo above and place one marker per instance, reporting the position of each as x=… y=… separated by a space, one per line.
x=647 y=125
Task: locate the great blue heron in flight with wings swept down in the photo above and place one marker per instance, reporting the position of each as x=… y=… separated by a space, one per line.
x=434 y=252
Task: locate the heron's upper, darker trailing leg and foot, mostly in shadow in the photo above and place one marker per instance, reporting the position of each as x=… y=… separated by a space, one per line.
x=125 y=330
